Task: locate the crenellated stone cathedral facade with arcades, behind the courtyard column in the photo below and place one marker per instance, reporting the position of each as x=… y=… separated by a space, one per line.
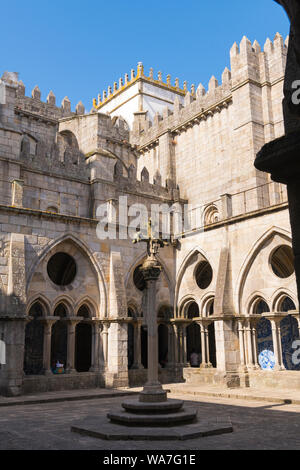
x=72 y=304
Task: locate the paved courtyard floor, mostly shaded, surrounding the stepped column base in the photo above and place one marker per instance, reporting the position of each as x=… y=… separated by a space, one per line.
x=46 y=426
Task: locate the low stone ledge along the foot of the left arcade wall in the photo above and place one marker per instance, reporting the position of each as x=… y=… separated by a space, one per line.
x=70 y=395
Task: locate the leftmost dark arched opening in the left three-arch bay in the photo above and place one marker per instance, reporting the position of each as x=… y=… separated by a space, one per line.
x=34 y=342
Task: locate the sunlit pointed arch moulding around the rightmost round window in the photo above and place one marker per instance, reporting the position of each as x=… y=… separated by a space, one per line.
x=252 y=254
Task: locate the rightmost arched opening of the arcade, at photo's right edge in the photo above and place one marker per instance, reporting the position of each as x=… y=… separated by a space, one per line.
x=289 y=334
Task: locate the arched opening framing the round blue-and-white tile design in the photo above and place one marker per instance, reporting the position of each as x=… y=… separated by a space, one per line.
x=266 y=357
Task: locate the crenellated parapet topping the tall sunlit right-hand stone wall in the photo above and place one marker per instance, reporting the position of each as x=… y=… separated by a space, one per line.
x=248 y=64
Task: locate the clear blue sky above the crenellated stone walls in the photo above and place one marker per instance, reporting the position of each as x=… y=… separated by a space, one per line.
x=78 y=48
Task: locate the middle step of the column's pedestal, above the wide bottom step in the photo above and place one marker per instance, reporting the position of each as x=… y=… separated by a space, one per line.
x=162 y=420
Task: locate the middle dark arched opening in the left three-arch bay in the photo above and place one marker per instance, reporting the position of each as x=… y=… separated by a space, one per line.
x=59 y=337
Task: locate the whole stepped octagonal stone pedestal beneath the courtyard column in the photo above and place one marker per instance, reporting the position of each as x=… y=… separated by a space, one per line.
x=169 y=420
